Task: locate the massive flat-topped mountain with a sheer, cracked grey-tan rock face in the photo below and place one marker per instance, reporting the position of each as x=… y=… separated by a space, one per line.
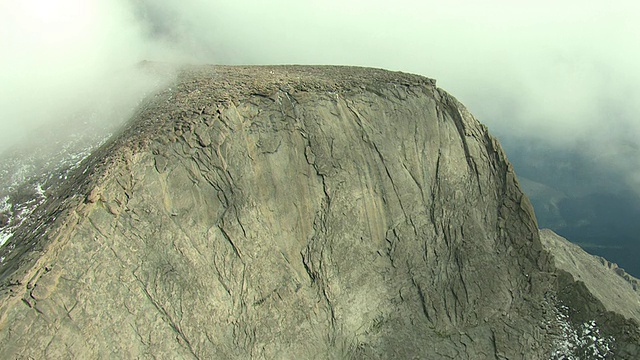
x=297 y=212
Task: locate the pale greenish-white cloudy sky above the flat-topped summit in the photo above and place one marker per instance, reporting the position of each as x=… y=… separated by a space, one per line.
x=566 y=71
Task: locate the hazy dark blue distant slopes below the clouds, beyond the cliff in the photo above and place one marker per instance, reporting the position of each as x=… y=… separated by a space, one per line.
x=592 y=200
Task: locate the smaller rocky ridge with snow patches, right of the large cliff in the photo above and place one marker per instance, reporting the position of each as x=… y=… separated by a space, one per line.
x=599 y=299
